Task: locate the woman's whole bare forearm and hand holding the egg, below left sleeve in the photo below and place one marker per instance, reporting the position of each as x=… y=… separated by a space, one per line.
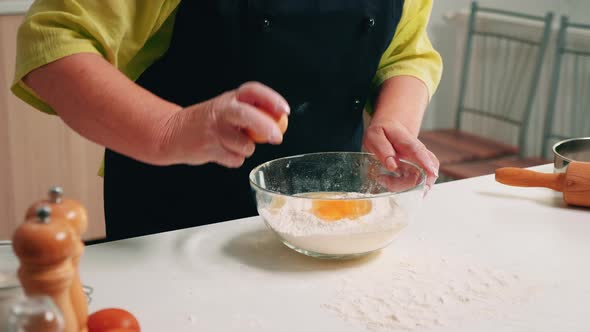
x=96 y=100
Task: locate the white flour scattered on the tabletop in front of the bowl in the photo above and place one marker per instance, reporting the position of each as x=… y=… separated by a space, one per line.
x=417 y=295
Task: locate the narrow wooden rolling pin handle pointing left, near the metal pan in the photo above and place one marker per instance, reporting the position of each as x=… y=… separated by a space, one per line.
x=519 y=177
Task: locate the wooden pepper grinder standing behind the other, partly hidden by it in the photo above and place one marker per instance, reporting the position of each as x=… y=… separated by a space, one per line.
x=76 y=217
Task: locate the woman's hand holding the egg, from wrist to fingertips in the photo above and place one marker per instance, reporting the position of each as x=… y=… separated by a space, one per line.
x=214 y=131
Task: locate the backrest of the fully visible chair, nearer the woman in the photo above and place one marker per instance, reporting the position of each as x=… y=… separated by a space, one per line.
x=501 y=68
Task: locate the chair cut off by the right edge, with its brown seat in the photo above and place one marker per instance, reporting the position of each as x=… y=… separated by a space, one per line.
x=569 y=98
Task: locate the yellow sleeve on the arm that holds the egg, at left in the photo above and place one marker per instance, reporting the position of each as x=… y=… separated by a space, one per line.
x=129 y=34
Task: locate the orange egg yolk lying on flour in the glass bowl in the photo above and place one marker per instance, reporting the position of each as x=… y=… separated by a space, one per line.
x=334 y=210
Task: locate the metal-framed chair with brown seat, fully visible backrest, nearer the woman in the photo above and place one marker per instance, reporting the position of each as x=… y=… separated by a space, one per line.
x=499 y=79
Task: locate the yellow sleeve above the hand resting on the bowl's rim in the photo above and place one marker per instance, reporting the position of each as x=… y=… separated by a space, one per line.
x=410 y=52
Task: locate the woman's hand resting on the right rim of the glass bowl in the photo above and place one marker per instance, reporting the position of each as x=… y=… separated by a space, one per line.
x=391 y=139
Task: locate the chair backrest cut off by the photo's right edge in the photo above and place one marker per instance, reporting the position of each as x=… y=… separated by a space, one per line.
x=568 y=103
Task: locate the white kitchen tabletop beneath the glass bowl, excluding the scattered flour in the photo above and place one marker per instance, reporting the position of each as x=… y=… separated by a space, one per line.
x=236 y=276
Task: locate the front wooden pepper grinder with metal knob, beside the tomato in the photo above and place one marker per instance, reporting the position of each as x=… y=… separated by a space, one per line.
x=44 y=246
